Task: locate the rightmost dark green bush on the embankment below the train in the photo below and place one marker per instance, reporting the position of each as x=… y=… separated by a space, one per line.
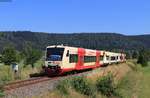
x=106 y=86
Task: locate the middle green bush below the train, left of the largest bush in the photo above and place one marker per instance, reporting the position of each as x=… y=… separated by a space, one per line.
x=80 y=84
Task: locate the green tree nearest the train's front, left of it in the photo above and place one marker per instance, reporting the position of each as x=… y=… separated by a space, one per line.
x=31 y=55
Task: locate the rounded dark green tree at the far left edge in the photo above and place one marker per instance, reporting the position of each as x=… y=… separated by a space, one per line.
x=8 y=55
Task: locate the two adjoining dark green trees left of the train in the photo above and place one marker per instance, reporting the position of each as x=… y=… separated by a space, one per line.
x=28 y=54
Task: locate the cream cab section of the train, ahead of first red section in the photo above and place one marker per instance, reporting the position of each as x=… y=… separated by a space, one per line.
x=57 y=59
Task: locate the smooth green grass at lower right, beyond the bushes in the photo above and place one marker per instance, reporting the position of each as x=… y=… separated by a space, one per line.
x=136 y=84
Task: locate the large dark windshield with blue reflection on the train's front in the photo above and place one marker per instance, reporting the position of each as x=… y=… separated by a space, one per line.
x=54 y=54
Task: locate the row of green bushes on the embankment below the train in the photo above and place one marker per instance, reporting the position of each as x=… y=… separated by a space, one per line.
x=105 y=85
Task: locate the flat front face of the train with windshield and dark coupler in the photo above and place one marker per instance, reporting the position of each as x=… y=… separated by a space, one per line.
x=53 y=60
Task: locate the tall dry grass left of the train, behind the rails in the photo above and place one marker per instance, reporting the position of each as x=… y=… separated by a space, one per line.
x=7 y=73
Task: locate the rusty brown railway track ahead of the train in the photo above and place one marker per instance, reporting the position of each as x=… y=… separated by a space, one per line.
x=27 y=82
